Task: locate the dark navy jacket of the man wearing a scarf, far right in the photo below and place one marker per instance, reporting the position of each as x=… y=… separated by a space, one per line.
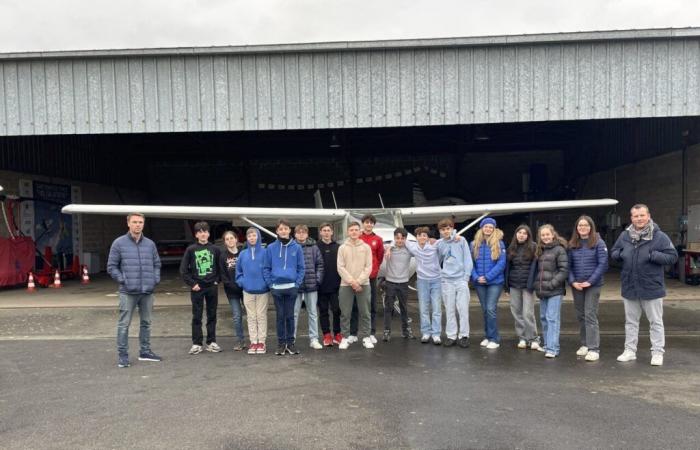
x=643 y=264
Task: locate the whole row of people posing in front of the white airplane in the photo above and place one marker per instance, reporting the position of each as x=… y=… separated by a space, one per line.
x=342 y=280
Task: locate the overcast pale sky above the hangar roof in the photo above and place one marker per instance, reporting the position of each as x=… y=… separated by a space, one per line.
x=33 y=25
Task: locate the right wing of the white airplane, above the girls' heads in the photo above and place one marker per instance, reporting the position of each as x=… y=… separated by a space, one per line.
x=433 y=214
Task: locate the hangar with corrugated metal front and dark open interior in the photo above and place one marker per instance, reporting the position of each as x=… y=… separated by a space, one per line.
x=487 y=119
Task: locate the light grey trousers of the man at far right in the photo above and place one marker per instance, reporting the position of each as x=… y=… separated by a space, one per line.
x=654 y=310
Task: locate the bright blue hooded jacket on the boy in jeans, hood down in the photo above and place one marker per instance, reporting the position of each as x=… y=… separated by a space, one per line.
x=284 y=264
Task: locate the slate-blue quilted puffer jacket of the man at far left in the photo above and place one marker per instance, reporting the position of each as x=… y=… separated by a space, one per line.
x=134 y=265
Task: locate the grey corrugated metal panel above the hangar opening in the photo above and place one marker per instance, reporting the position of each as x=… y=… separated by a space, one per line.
x=568 y=76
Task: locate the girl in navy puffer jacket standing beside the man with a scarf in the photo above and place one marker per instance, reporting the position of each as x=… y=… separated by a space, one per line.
x=588 y=261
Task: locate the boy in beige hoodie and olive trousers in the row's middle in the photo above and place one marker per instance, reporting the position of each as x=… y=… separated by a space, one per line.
x=354 y=268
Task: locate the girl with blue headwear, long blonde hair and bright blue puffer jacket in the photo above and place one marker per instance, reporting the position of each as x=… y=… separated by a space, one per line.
x=489 y=253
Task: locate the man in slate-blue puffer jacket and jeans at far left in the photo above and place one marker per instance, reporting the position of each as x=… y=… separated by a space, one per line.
x=134 y=264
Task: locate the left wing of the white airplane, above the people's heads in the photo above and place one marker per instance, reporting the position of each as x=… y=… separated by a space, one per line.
x=262 y=216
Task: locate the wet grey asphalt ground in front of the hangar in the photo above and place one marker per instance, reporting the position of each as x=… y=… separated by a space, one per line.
x=60 y=387
